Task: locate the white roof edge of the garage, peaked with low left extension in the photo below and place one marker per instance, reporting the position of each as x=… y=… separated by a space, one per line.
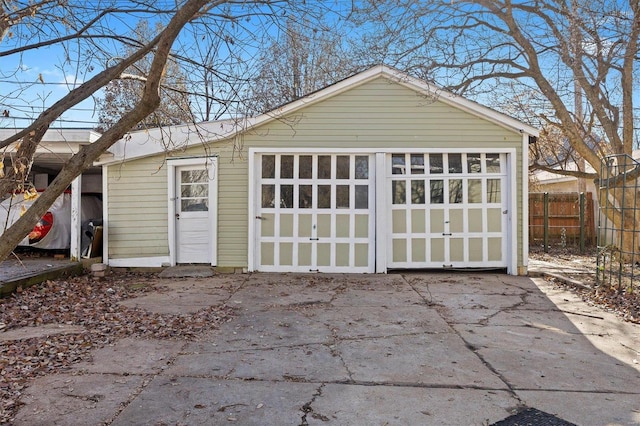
x=149 y=142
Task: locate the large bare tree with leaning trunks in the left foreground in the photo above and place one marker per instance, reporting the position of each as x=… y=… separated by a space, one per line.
x=88 y=35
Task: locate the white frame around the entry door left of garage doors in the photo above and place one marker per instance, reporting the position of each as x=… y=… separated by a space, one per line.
x=212 y=165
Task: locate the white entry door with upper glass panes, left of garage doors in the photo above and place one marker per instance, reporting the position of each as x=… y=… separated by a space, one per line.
x=194 y=207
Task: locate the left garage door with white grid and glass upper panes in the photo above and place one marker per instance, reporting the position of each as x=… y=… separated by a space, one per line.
x=315 y=212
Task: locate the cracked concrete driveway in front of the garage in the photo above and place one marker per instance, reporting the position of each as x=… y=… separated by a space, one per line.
x=423 y=348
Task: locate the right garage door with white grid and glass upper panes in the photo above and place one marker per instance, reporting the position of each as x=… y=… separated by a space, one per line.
x=447 y=210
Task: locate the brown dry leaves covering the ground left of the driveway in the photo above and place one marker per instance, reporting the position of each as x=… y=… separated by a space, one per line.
x=89 y=303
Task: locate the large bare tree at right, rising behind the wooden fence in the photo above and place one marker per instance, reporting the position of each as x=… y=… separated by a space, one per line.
x=556 y=49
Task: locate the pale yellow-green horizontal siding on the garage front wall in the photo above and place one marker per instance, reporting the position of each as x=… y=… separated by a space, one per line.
x=378 y=114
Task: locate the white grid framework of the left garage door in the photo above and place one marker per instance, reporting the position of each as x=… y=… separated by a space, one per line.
x=333 y=240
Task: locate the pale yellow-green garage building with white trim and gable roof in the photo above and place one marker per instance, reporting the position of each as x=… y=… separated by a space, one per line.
x=380 y=171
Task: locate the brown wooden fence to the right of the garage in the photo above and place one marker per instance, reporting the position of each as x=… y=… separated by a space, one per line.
x=561 y=219
